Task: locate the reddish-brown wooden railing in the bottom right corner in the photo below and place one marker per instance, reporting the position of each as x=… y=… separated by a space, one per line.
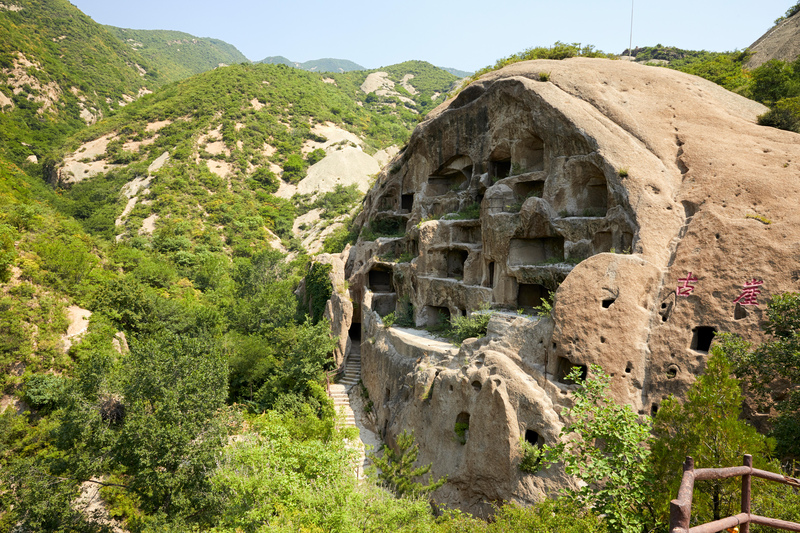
x=680 y=509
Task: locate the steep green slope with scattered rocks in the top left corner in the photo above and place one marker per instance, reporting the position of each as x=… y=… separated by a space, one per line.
x=60 y=71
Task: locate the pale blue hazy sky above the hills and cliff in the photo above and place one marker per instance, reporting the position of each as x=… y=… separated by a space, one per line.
x=464 y=34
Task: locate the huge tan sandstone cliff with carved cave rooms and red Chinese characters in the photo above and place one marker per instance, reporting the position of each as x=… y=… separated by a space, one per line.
x=645 y=198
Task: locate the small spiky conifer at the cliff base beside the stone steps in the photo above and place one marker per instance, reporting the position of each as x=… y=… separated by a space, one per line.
x=397 y=470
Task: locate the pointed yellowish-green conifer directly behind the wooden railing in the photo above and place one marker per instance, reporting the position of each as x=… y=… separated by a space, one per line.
x=706 y=427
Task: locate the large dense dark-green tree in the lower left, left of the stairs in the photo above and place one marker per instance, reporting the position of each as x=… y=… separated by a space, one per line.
x=159 y=413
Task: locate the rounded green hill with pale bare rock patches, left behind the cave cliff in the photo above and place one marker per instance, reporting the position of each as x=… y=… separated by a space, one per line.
x=229 y=134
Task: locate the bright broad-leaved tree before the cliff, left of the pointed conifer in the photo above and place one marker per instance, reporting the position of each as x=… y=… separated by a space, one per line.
x=605 y=446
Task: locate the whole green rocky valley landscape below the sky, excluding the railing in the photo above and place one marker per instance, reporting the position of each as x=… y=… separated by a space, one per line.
x=218 y=278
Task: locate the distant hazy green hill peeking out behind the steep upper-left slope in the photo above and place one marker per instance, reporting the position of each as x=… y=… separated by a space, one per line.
x=177 y=55
